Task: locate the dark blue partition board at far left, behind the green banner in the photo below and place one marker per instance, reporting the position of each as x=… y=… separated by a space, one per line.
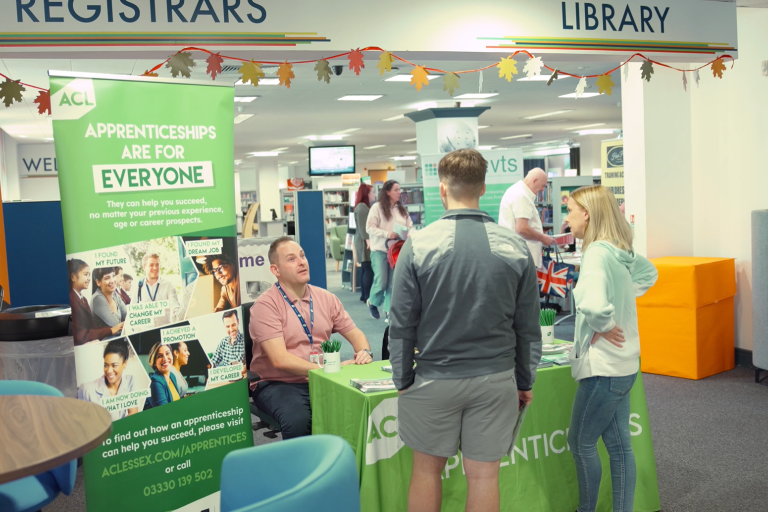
x=34 y=240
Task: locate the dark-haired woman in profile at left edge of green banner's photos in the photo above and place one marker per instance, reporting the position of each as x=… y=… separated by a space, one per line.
x=84 y=327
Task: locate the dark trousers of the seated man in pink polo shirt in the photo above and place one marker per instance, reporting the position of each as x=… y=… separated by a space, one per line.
x=288 y=404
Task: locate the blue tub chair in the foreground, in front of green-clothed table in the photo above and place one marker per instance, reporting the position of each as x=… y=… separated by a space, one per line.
x=316 y=473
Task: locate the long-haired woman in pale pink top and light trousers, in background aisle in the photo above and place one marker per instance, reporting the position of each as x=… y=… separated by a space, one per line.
x=387 y=218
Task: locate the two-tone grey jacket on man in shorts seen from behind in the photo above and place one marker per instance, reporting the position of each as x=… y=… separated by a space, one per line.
x=465 y=294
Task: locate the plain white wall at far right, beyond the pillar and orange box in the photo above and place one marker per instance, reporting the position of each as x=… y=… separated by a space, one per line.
x=729 y=129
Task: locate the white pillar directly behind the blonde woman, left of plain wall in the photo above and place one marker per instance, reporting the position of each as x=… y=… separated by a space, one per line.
x=658 y=171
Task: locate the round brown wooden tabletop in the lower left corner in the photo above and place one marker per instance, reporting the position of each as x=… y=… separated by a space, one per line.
x=39 y=433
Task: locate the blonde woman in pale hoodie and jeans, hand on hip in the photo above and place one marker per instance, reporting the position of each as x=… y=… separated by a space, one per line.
x=605 y=358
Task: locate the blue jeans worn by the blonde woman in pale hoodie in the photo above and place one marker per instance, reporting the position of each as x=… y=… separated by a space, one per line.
x=601 y=409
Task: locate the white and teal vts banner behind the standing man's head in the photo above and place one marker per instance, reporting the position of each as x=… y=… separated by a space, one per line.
x=505 y=168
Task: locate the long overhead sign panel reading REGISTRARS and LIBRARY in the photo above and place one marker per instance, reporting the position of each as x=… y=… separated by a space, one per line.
x=694 y=28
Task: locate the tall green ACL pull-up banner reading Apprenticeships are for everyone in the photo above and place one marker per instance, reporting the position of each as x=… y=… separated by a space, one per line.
x=147 y=198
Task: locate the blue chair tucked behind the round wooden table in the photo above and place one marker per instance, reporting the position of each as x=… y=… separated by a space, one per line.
x=34 y=492
